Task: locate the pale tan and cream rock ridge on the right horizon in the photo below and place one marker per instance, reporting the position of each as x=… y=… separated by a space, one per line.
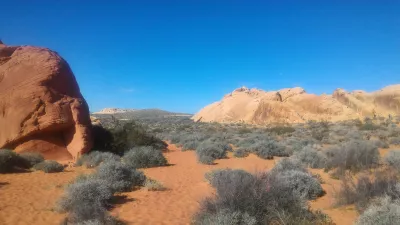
x=294 y=105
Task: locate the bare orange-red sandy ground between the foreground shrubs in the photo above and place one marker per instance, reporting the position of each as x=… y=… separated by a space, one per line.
x=29 y=198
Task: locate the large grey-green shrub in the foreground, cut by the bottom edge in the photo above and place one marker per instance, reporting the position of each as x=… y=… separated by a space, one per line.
x=257 y=199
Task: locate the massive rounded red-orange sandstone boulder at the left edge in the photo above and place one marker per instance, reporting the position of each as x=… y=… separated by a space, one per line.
x=41 y=107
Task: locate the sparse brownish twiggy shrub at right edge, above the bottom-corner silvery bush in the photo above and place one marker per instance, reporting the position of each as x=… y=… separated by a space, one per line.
x=361 y=190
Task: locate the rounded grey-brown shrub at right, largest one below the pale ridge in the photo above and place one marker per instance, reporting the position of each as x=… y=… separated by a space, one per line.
x=353 y=155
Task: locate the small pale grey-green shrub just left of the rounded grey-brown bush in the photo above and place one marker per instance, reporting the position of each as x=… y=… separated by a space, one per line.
x=311 y=157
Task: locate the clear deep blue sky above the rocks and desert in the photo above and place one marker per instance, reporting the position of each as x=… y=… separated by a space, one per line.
x=183 y=55
